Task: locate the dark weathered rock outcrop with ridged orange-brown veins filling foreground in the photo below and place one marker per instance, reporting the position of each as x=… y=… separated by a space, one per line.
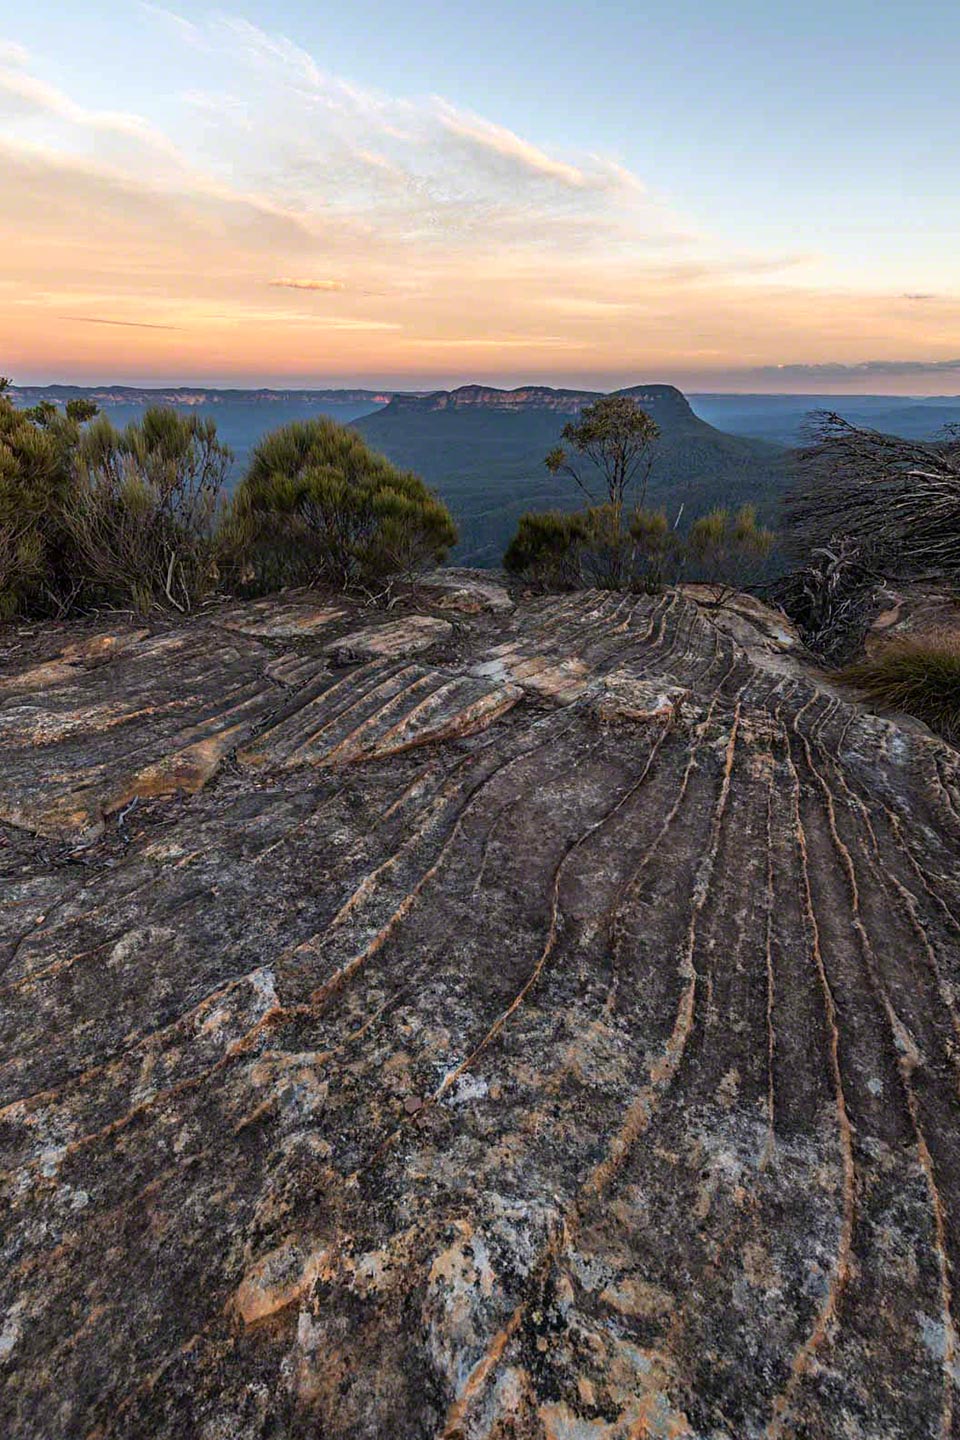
x=457 y=1055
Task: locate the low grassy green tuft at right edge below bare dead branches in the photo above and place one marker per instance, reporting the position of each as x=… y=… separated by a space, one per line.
x=920 y=675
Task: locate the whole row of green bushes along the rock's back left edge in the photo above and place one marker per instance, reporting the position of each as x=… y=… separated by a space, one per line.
x=137 y=518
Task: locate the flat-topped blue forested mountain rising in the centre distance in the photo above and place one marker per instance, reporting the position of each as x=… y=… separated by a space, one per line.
x=484 y=451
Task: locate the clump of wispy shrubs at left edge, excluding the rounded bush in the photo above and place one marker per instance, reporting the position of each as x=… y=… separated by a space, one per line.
x=91 y=515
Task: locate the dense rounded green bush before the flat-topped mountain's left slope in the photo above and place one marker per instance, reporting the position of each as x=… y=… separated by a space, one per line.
x=317 y=505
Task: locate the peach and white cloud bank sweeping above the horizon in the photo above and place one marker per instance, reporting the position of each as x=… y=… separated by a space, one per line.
x=289 y=225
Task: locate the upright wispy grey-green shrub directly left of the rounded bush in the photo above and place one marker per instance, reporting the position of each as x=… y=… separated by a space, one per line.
x=143 y=516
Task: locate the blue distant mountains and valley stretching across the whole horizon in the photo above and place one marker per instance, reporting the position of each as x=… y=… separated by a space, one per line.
x=483 y=449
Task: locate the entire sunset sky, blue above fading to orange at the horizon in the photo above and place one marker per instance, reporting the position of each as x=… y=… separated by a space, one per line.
x=752 y=197
